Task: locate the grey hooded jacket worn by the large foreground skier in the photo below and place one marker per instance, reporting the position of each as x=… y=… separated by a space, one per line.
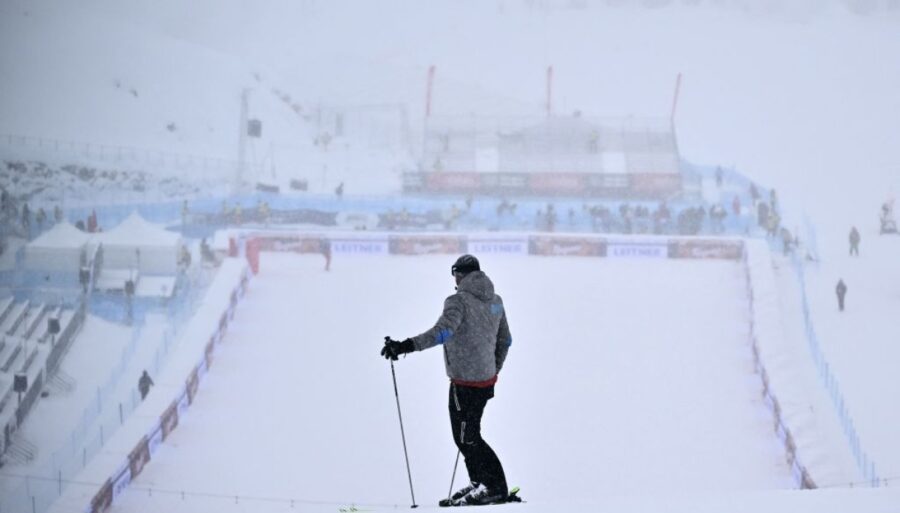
x=473 y=330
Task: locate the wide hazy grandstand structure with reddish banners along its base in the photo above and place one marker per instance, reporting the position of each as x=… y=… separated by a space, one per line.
x=571 y=156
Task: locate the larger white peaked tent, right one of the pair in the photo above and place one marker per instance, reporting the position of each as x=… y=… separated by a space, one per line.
x=138 y=244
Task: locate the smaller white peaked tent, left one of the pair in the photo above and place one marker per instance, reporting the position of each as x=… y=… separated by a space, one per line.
x=62 y=248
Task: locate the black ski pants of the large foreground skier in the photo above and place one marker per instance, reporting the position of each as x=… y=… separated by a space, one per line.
x=466 y=408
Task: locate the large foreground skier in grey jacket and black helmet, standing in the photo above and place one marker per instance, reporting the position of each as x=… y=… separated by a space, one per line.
x=475 y=335
